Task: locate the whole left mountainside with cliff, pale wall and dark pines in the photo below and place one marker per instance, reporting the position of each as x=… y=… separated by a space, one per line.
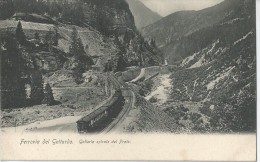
x=66 y=39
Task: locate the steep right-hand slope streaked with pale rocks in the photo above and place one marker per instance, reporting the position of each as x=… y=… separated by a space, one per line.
x=219 y=71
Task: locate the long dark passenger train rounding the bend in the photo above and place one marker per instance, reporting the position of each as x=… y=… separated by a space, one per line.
x=104 y=115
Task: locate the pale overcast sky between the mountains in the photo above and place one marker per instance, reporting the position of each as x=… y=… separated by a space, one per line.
x=166 y=7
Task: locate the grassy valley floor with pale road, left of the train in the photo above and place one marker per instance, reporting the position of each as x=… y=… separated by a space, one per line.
x=75 y=103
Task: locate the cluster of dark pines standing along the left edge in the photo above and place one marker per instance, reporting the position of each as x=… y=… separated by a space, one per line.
x=14 y=74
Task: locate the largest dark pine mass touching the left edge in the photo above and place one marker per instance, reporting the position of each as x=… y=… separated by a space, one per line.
x=12 y=85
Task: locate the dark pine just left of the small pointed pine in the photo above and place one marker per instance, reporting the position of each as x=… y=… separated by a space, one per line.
x=37 y=94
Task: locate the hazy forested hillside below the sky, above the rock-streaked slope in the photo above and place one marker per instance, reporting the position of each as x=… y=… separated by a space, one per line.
x=170 y=32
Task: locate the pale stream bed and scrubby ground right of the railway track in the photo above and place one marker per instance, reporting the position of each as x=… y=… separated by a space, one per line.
x=158 y=113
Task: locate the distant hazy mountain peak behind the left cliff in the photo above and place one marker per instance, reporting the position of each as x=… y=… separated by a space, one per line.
x=143 y=16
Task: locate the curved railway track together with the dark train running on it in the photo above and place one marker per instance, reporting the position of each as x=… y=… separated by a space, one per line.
x=107 y=116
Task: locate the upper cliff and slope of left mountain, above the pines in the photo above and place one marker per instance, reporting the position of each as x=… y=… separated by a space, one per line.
x=106 y=28
